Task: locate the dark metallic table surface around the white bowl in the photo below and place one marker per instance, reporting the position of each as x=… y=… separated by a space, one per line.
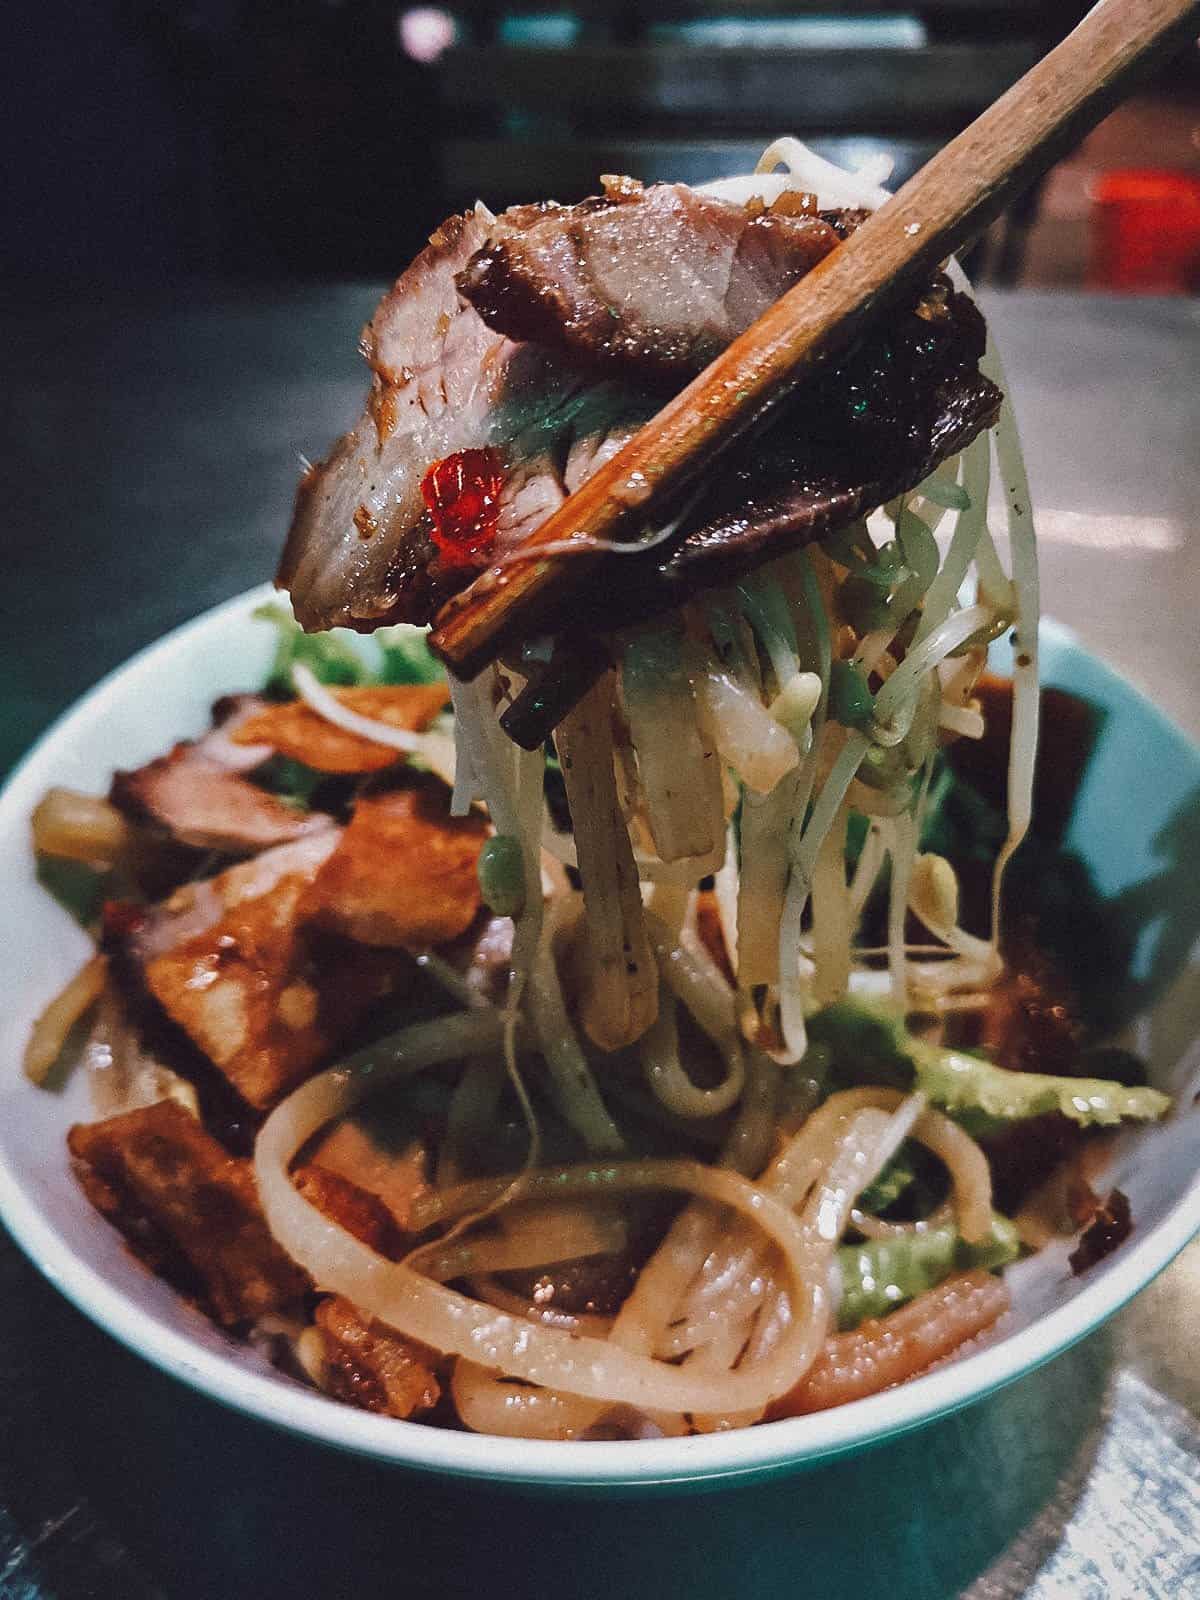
x=151 y=452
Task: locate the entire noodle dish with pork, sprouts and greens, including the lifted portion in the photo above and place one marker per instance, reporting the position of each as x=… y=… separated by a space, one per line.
x=710 y=1063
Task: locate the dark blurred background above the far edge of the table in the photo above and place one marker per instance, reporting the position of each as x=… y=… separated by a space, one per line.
x=162 y=140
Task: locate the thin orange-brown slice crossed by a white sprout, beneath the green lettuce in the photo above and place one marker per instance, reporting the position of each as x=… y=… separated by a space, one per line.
x=300 y=734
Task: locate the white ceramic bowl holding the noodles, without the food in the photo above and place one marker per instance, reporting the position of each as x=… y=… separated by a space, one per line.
x=1138 y=804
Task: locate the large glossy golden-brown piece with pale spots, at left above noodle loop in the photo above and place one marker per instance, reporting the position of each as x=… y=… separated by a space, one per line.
x=260 y=996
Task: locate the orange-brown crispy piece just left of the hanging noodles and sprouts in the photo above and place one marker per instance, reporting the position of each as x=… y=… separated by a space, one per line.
x=404 y=873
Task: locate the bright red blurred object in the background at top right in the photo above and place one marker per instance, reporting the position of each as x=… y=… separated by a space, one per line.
x=1146 y=233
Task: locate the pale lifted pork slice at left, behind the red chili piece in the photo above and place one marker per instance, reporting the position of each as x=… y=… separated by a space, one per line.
x=361 y=550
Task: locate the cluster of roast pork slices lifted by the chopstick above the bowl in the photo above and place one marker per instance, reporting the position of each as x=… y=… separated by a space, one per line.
x=518 y=354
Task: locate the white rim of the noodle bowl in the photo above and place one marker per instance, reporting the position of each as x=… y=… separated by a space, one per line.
x=756 y=1452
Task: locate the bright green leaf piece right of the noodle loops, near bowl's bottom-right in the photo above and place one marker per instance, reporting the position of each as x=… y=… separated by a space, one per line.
x=886 y=1273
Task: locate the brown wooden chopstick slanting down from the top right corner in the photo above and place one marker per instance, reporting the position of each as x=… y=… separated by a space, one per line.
x=964 y=188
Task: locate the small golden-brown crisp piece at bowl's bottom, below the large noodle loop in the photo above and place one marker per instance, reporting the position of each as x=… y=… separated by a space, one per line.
x=374 y=1367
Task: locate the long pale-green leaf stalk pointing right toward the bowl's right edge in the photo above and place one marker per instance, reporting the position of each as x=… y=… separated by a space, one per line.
x=870 y=1046
